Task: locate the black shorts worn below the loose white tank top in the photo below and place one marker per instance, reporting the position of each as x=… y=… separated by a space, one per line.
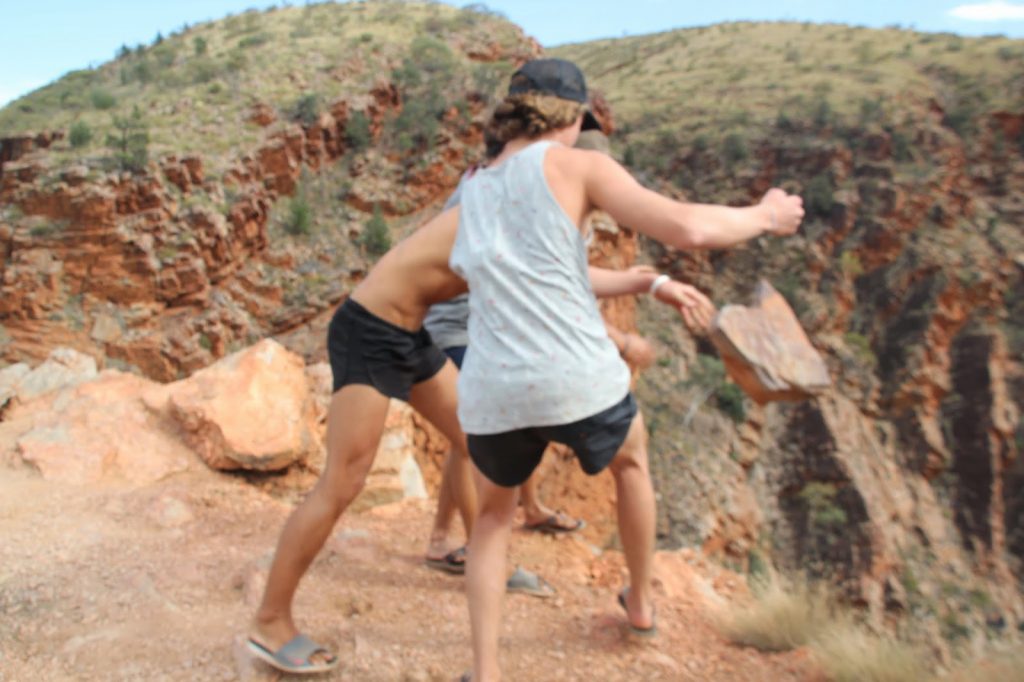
x=509 y=458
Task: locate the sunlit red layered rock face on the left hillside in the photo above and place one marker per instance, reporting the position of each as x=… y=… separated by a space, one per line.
x=165 y=271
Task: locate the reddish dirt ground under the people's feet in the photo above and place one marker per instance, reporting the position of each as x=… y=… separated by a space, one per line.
x=158 y=584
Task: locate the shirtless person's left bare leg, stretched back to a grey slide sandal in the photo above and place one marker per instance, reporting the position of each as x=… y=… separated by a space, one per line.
x=356 y=421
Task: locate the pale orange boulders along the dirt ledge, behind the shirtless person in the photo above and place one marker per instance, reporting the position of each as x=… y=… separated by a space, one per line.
x=260 y=410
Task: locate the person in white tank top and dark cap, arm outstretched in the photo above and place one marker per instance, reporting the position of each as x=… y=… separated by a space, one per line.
x=542 y=368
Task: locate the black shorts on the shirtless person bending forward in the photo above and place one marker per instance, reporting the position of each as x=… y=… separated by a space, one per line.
x=365 y=350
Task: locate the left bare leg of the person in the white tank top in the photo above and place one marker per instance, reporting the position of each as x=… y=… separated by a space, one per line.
x=486 y=573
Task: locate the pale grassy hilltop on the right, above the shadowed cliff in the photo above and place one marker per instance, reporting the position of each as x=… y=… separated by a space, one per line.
x=698 y=87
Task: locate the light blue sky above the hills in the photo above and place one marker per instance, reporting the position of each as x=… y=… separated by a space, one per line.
x=45 y=39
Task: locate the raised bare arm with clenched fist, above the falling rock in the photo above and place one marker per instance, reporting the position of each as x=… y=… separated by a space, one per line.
x=611 y=188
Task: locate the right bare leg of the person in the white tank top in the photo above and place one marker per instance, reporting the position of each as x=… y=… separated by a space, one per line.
x=635 y=501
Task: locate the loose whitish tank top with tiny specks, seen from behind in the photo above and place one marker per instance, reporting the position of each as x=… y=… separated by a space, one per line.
x=540 y=355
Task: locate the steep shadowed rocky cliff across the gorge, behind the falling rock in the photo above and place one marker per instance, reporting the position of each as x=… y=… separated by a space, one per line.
x=902 y=482
